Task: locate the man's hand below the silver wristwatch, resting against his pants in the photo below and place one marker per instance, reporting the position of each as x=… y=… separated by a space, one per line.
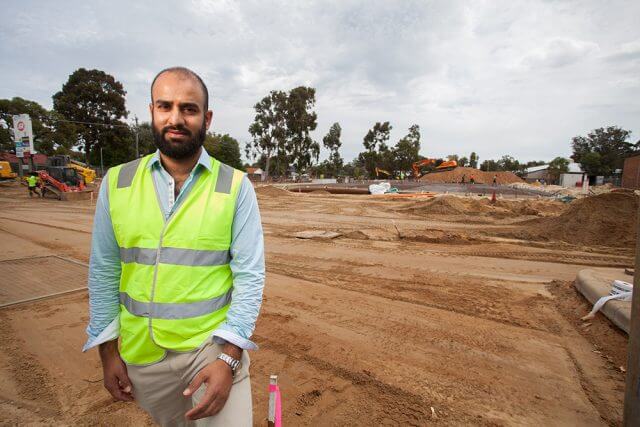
x=218 y=377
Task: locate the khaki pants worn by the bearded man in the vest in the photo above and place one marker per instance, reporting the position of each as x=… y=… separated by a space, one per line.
x=158 y=389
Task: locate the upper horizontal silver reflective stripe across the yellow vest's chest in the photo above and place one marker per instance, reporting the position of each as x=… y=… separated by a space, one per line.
x=176 y=256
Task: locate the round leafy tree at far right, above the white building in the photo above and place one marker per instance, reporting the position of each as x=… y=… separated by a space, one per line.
x=609 y=144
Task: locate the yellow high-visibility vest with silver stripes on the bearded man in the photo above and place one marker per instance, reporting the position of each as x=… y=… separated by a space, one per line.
x=176 y=283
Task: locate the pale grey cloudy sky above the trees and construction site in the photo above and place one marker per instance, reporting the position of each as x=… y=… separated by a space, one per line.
x=498 y=77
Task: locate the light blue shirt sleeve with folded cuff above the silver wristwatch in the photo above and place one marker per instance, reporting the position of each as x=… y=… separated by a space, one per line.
x=247 y=267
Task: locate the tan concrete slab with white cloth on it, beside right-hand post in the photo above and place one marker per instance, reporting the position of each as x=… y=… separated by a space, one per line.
x=595 y=284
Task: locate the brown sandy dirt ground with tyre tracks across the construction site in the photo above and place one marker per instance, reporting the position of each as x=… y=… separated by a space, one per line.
x=410 y=316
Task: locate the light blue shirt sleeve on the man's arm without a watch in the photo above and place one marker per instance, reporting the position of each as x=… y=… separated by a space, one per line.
x=104 y=276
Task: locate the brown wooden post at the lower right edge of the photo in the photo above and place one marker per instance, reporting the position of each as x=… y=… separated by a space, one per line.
x=632 y=393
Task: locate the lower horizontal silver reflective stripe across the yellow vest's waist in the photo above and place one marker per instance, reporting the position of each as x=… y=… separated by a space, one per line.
x=164 y=310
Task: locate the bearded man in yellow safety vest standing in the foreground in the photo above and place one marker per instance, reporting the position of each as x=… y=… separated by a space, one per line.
x=177 y=270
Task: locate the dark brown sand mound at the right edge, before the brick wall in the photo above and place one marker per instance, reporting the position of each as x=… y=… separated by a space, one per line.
x=605 y=220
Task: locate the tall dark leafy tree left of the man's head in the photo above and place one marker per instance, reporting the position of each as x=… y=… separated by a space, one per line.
x=95 y=101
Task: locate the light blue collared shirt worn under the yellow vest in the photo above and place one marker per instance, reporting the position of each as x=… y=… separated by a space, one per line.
x=247 y=260
